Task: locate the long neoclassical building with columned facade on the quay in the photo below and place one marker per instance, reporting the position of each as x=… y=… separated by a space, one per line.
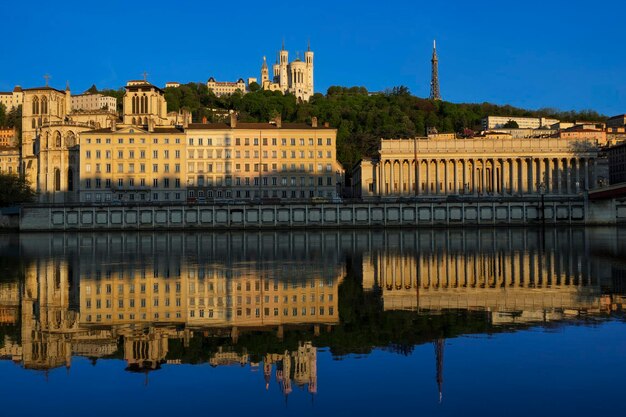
x=492 y=165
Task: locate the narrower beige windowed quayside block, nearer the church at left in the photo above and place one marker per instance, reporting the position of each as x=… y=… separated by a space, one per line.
x=132 y=164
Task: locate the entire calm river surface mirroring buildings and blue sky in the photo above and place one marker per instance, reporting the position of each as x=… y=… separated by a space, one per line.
x=430 y=322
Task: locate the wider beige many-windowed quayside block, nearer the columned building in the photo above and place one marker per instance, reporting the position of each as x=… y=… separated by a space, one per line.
x=247 y=161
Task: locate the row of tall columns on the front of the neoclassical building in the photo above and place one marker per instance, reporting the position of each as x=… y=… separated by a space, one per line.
x=486 y=176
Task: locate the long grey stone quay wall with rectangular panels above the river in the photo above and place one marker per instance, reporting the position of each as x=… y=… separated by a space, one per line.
x=357 y=215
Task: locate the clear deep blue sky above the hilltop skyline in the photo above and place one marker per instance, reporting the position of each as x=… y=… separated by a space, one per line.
x=561 y=54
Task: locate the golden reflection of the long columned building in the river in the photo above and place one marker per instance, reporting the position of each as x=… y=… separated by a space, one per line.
x=518 y=275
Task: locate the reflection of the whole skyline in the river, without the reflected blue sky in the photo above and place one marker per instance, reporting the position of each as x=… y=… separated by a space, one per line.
x=271 y=298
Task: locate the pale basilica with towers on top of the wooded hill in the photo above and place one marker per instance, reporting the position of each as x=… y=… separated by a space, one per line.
x=294 y=77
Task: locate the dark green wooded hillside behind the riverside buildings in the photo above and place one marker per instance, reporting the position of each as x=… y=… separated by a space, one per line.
x=361 y=118
